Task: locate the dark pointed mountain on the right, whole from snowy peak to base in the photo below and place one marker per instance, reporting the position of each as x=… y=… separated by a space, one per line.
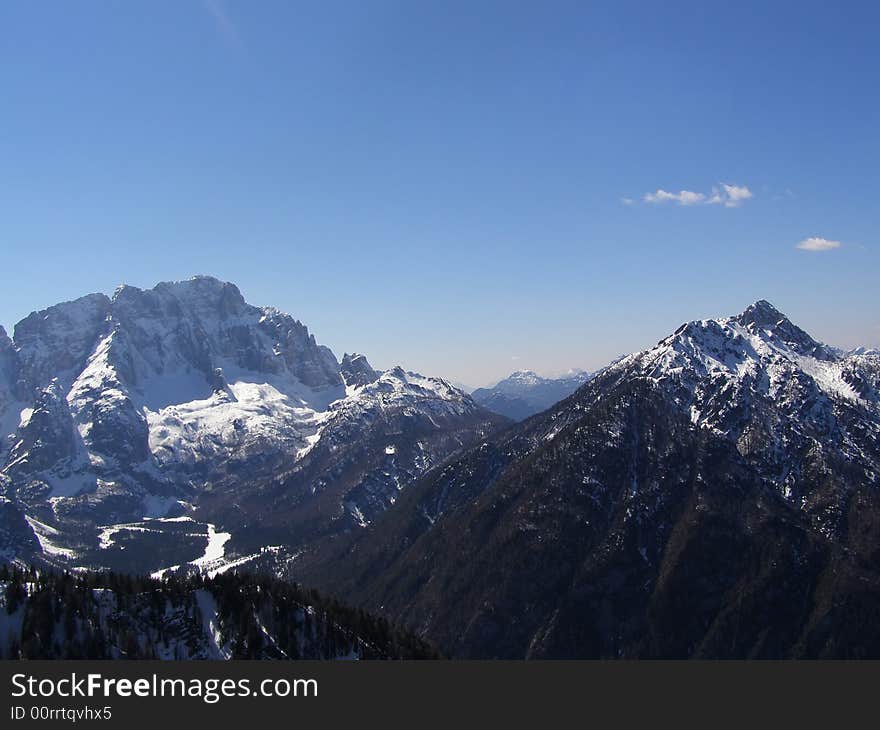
x=717 y=495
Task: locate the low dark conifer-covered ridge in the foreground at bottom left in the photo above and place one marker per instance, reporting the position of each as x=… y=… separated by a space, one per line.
x=56 y=615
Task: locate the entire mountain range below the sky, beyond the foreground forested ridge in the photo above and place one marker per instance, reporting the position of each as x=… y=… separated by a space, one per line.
x=716 y=495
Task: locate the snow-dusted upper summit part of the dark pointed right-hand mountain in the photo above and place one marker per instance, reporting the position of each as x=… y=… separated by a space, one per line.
x=759 y=379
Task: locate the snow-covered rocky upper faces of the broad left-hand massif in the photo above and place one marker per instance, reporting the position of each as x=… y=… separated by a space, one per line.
x=118 y=409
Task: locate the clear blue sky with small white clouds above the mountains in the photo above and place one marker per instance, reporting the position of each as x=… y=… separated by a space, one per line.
x=463 y=187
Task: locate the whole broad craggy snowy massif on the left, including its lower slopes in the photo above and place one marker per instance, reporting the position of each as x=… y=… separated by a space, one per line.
x=183 y=405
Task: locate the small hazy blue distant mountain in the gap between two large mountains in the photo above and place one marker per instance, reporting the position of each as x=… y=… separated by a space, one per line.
x=524 y=393
